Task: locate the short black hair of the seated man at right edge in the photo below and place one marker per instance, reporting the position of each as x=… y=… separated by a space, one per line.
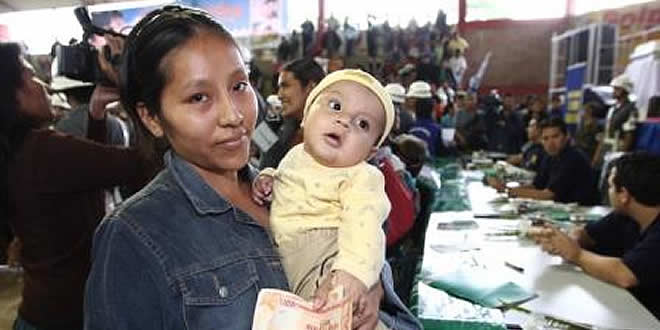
x=639 y=173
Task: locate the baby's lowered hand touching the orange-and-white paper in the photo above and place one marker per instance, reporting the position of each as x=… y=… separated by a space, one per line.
x=354 y=290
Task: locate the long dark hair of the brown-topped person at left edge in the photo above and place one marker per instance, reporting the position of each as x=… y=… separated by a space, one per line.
x=13 y=126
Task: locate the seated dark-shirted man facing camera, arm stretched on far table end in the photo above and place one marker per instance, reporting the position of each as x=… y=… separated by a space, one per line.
x=565 y=175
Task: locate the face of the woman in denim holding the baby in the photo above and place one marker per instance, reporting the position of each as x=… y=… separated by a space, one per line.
x=208 y=106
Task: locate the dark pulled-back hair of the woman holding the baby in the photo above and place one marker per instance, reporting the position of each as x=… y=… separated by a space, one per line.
x=142 y=74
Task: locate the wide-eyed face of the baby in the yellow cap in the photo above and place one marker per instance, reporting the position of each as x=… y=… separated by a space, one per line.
x=345 y=122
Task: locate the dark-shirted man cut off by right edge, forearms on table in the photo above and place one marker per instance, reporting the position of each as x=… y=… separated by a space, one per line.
x=623 y=247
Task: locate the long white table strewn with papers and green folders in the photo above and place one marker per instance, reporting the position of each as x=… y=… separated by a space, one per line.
x=456 y=254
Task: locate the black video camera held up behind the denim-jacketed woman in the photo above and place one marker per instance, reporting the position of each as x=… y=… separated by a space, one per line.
x=80 y=61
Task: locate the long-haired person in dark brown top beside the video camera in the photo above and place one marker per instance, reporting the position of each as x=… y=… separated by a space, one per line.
x=51 y=193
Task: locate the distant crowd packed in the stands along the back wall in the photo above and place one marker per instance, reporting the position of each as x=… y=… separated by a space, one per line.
x=434 y=52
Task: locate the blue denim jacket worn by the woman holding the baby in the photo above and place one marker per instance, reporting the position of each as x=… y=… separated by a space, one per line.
x=179 y=256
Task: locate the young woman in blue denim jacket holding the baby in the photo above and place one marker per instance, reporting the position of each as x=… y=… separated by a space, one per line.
x=190 y=250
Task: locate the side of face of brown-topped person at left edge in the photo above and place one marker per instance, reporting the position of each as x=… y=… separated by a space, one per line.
x=32 y=99
